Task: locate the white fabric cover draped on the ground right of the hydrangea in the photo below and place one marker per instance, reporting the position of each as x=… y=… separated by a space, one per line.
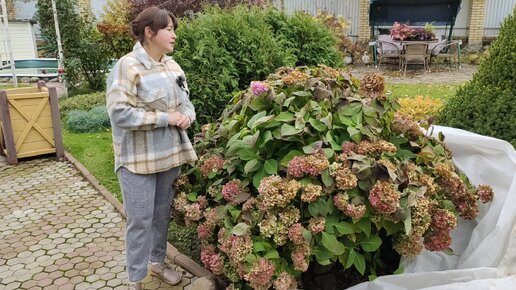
x=486 y=247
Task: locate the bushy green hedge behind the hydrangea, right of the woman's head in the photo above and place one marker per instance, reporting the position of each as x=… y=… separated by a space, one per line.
x=222 y=51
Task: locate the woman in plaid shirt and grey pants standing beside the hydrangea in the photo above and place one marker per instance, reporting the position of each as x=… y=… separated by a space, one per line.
x=149 y=109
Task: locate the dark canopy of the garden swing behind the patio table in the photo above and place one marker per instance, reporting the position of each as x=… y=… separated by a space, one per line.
x=413 y=12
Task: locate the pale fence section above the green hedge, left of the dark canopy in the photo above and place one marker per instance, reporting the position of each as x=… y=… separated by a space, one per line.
x=349 y=9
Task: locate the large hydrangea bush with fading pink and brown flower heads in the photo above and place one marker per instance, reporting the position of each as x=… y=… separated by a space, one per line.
x=310 y=166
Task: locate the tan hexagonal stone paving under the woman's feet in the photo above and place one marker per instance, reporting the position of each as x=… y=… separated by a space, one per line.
x=58 y=232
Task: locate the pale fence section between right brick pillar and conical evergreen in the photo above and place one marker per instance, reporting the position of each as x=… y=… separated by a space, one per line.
x=496 y=11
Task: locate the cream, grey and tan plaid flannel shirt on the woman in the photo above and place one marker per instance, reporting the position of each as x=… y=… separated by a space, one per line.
x=140 y=93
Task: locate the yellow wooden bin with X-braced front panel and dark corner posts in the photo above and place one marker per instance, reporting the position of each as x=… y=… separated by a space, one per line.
x=29 y=123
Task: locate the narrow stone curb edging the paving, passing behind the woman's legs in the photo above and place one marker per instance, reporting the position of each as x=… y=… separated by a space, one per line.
x=172 y=253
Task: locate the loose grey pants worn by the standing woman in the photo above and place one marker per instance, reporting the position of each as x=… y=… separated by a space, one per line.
x=147 y=199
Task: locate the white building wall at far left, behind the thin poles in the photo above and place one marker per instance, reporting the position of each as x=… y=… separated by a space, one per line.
x=23 y=41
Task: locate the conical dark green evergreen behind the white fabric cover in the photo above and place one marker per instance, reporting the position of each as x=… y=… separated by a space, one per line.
x=486 y=104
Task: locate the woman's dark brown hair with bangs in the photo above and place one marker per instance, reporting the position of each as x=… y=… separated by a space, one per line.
x=154 y=18
